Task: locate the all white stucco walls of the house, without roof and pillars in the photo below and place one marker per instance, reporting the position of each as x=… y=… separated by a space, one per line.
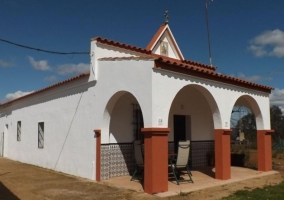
x=72 y=111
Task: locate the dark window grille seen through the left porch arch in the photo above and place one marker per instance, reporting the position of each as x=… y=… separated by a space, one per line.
x=137 y=122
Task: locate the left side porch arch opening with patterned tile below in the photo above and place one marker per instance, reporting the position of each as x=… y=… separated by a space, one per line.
x=117 y=135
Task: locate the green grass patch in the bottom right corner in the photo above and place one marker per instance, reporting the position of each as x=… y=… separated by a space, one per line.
x=269 y=192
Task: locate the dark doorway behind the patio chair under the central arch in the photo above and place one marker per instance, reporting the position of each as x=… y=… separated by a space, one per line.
x=179 y=129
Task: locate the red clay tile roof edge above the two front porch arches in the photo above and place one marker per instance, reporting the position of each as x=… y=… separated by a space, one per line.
x=208 y=74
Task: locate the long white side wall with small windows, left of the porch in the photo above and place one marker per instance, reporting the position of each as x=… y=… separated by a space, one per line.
x=69 y=143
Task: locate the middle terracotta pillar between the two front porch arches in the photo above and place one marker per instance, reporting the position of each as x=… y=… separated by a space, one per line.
x=222 y=154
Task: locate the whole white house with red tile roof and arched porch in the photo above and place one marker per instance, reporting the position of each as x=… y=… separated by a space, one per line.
x=85 y=125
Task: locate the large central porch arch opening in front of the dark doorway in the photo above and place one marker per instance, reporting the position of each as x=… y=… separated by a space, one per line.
x=198 y=105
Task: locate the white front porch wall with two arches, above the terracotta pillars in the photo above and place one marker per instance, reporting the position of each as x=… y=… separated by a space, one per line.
x=167 y=84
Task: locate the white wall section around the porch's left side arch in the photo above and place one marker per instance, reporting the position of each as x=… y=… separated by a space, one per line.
x=129 y=76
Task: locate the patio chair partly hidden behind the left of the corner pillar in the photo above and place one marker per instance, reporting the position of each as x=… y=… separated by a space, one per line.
x=139 y=161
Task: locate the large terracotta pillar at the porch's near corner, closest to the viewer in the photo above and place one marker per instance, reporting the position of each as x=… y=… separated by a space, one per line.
x=155 y=160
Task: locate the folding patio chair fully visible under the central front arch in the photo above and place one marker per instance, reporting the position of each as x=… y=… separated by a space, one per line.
x=182 y=162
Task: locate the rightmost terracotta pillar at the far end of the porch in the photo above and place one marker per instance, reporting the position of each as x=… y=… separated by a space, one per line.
x=264 y=150
